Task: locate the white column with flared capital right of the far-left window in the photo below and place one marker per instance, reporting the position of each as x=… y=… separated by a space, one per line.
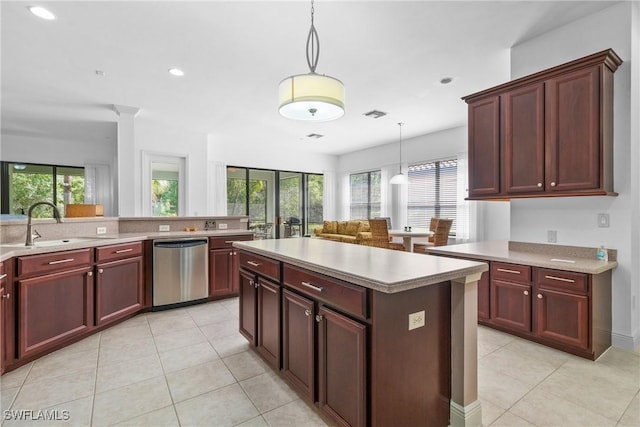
x=126 y=200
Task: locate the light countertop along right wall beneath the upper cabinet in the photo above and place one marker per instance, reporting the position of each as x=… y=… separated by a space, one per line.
x=567 y=258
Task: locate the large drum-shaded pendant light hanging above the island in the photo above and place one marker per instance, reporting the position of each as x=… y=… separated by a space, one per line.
x=311 y=96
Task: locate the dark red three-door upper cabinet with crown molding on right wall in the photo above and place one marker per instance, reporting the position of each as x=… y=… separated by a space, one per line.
x=547 y=134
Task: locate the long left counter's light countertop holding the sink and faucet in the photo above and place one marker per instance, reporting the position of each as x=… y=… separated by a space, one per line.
x=9 y=250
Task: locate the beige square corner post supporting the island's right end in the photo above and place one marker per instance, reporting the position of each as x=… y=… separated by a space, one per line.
x=465 y=407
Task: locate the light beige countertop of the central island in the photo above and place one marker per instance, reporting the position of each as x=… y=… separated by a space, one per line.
x=380 y=269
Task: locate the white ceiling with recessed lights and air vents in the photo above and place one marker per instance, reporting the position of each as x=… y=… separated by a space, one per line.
x=389 y=54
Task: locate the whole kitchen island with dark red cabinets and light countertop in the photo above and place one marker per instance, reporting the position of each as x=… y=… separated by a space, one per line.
x=373 y=337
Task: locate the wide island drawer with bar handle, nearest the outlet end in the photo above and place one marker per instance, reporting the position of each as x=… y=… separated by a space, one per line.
x=336 y=293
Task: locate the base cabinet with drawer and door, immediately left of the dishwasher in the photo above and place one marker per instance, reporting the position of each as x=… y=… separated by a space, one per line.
x=119 y=287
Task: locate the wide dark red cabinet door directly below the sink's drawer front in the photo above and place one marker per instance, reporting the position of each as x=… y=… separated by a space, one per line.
x=53 y=308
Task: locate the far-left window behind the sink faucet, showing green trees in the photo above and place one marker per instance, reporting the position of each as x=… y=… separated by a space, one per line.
x=25 y=183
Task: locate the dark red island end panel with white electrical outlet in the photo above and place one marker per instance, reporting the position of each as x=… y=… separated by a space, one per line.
x=411 y=361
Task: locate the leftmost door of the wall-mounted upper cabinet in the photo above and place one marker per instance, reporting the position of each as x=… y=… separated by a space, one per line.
x=484 y=147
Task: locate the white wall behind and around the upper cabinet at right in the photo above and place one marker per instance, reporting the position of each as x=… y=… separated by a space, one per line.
x=574 y=218
